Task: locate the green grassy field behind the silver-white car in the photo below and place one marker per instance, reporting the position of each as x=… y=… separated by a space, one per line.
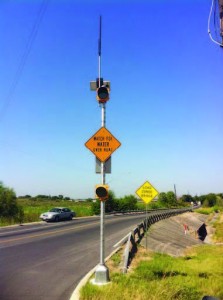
x=34 y=207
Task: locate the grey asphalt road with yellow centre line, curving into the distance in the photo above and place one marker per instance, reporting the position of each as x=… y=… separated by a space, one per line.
x=46 y=261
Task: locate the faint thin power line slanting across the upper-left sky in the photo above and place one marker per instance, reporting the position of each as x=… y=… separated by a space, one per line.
x=24 y=58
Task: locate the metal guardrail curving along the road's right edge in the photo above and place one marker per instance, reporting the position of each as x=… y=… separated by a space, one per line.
x=134 y=237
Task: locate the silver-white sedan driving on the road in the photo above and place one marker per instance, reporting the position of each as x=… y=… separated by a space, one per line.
x=58 y=213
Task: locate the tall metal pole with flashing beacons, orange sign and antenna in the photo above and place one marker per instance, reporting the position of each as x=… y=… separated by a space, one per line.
x=102 y=144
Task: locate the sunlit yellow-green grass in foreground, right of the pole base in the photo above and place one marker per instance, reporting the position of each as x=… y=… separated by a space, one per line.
x=156 y=276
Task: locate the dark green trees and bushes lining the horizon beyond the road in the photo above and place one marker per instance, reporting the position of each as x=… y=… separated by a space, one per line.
x=9 y=207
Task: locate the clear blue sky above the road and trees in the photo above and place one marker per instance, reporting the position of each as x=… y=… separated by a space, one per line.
x=165 y=104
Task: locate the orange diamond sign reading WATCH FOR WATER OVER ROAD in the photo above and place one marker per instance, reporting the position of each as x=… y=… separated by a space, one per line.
x=102 y=144
